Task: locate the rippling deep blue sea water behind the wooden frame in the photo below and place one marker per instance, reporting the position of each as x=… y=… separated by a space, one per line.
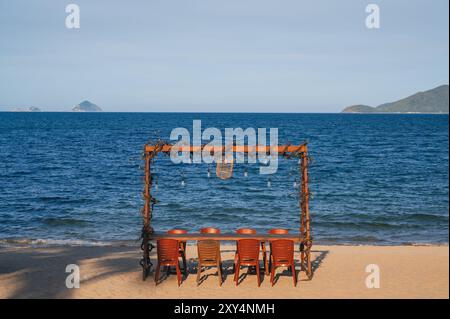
x=76 y=178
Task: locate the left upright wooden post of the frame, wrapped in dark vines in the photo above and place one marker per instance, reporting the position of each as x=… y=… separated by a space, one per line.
x=146 y=216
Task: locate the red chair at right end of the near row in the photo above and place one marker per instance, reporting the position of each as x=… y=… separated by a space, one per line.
x=282 y=251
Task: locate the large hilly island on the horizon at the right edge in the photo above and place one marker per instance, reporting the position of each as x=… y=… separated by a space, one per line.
x=432 y=101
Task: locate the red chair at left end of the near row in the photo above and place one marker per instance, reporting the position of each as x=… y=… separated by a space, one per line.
x=168 y=254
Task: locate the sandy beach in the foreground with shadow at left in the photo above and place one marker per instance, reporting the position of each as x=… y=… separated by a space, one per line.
x=113 y=272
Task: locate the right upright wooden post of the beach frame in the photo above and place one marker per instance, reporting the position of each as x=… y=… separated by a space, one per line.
x=305 y=224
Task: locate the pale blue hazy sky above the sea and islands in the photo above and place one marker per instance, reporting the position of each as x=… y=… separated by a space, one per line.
x=220 y=56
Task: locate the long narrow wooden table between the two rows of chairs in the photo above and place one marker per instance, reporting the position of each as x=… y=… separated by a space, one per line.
x=263 y=238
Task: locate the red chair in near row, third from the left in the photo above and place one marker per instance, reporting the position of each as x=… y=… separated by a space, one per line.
x=247 y=255
